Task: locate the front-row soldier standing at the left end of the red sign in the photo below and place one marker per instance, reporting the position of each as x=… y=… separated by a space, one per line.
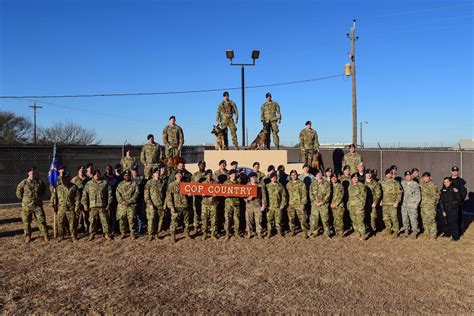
x=179 y=206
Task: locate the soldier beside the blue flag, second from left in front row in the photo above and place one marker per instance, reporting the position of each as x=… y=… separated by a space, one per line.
x=68 y=201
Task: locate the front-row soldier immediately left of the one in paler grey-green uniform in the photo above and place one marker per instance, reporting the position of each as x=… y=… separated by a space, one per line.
x=391 y=197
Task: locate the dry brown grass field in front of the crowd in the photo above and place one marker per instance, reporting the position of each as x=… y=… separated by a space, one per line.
x=292 y=275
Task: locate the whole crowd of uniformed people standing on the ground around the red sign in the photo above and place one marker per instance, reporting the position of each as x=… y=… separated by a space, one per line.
x=321 y=202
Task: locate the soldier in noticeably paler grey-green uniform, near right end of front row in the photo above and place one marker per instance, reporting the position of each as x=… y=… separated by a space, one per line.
x=411 y=200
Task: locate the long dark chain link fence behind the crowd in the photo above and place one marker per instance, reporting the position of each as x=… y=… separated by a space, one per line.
x=15 y=160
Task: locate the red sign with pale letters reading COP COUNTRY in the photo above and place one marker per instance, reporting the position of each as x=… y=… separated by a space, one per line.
x=216 y=189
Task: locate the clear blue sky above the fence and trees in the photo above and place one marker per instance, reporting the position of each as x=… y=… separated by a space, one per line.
x=414 y=65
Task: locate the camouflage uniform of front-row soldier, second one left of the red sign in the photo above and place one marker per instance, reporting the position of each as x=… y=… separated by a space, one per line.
x=155 y=194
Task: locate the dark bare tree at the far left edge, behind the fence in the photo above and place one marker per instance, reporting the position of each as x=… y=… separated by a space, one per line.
x=14 y=129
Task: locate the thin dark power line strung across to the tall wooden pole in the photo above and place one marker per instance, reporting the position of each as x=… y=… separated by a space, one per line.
x=166 y=92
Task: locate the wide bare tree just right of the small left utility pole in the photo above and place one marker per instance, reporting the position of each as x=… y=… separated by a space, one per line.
x=67 y=134
